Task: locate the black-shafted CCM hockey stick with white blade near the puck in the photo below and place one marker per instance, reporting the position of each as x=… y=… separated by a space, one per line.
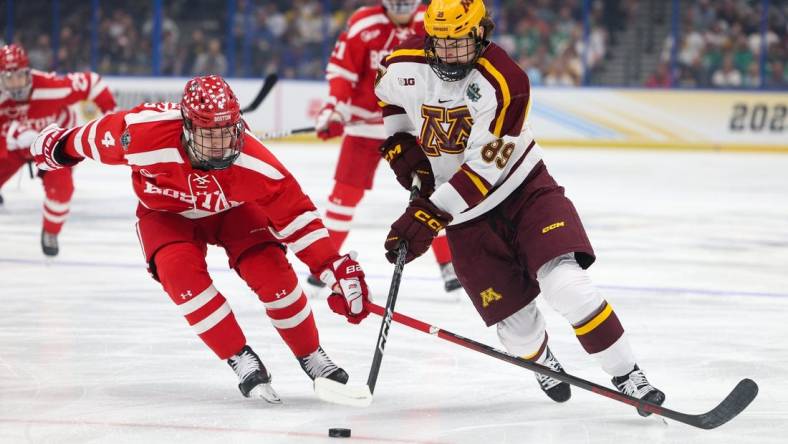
x=361 y=396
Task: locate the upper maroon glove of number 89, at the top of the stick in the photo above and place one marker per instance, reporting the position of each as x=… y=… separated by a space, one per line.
x=405 y=156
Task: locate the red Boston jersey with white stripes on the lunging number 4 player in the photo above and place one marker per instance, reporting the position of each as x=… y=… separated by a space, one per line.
x=148 y=139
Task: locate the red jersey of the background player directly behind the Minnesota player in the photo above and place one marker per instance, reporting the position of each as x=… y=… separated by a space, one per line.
x=369 y=37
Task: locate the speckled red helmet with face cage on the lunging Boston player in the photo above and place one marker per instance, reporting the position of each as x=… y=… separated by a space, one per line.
x=212 y=124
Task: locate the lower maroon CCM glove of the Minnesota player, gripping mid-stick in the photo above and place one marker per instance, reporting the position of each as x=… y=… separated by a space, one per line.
x=419 y=225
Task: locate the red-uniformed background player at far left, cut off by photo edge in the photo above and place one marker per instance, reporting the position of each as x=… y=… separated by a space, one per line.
x=29 y=101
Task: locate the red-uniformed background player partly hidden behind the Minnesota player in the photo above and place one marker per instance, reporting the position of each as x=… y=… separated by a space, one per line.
x=372 y=33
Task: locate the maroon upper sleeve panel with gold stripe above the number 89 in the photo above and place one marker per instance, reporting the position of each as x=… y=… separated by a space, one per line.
x=519 y=91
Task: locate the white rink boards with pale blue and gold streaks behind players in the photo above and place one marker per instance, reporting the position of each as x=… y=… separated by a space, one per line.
x=574 y=117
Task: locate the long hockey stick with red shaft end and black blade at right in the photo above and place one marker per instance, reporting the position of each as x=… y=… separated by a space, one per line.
x=737 y=400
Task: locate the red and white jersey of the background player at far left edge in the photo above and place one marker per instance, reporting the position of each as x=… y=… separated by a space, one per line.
x=52 y=100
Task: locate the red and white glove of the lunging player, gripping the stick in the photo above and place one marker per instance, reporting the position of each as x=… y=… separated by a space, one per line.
x=350 y=296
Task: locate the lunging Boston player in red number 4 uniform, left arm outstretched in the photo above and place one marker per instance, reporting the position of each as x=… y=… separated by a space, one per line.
x=202 y=178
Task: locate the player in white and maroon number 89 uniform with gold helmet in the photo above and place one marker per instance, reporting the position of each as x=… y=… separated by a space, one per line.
x=512 y=231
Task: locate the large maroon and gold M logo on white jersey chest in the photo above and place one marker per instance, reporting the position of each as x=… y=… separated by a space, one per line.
x=435 y=138
